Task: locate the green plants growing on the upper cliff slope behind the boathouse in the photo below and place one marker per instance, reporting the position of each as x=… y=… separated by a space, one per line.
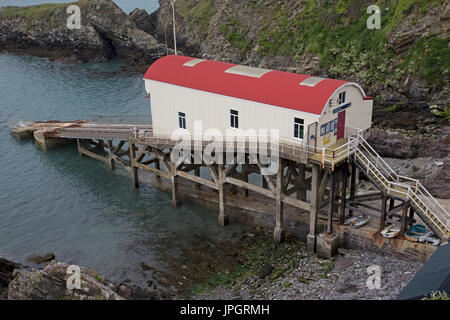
x=337 y=33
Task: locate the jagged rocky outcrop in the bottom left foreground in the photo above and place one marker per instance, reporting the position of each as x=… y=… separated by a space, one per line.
x=50 y=283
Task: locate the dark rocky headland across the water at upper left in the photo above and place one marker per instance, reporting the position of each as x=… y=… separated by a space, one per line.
x=106 y=31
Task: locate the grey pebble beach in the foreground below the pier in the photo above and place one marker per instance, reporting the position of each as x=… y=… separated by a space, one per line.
x=310 y=277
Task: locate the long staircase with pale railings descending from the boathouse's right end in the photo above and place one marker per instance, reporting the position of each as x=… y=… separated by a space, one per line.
x=400 y=187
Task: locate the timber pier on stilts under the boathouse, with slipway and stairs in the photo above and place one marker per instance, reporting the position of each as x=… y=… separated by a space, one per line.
x=307 y=180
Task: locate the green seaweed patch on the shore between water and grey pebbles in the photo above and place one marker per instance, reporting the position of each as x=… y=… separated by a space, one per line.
x=260 y=251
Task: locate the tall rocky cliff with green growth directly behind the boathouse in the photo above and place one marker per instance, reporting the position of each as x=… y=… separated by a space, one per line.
x=404 y=65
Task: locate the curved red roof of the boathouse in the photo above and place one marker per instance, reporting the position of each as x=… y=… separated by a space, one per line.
x=275 y=88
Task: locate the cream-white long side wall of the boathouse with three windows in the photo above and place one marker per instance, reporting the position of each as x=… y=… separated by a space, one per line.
x=214 y=111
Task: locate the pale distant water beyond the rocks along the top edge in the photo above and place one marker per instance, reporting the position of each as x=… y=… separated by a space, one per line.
x=126 y=5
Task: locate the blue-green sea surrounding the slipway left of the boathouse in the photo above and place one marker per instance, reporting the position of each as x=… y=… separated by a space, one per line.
x=74 y=206
